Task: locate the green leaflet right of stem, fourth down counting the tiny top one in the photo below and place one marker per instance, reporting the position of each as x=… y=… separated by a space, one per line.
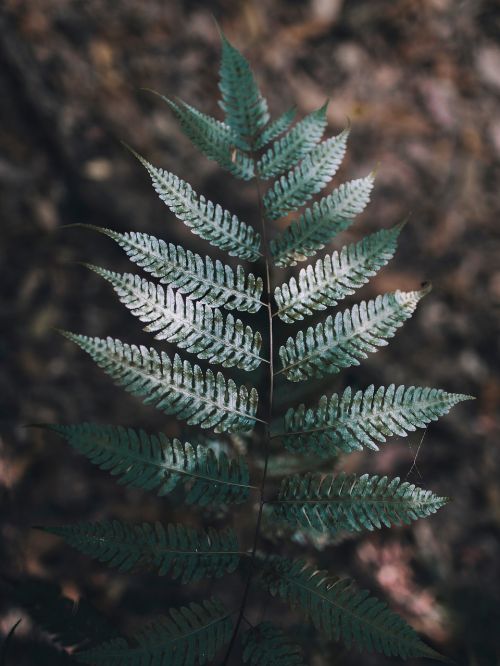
x=318 y=225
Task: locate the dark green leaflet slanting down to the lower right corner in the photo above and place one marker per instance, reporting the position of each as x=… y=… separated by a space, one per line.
x=342 y=612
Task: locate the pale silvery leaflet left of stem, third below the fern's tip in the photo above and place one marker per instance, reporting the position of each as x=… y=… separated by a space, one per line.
x=213 y=283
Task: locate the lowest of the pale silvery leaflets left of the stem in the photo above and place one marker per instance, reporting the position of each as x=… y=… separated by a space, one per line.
x=175 y=387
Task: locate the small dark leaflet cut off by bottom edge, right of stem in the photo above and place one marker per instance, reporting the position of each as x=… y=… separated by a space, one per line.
x=267 y=645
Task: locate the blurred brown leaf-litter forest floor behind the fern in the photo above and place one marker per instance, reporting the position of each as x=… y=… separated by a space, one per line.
x=420 y=83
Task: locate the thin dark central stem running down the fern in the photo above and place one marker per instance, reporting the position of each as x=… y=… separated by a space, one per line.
x=266 y=427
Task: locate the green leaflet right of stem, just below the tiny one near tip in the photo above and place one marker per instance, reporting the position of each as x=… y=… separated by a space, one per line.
x=295 y=145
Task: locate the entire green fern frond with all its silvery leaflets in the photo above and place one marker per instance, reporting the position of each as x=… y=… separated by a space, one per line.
x=191 y=301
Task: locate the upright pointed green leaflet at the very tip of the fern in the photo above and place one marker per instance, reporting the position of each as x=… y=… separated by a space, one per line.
x=245 y=108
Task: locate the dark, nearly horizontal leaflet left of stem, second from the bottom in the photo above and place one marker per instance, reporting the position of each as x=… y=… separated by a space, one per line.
x=180 y=551
